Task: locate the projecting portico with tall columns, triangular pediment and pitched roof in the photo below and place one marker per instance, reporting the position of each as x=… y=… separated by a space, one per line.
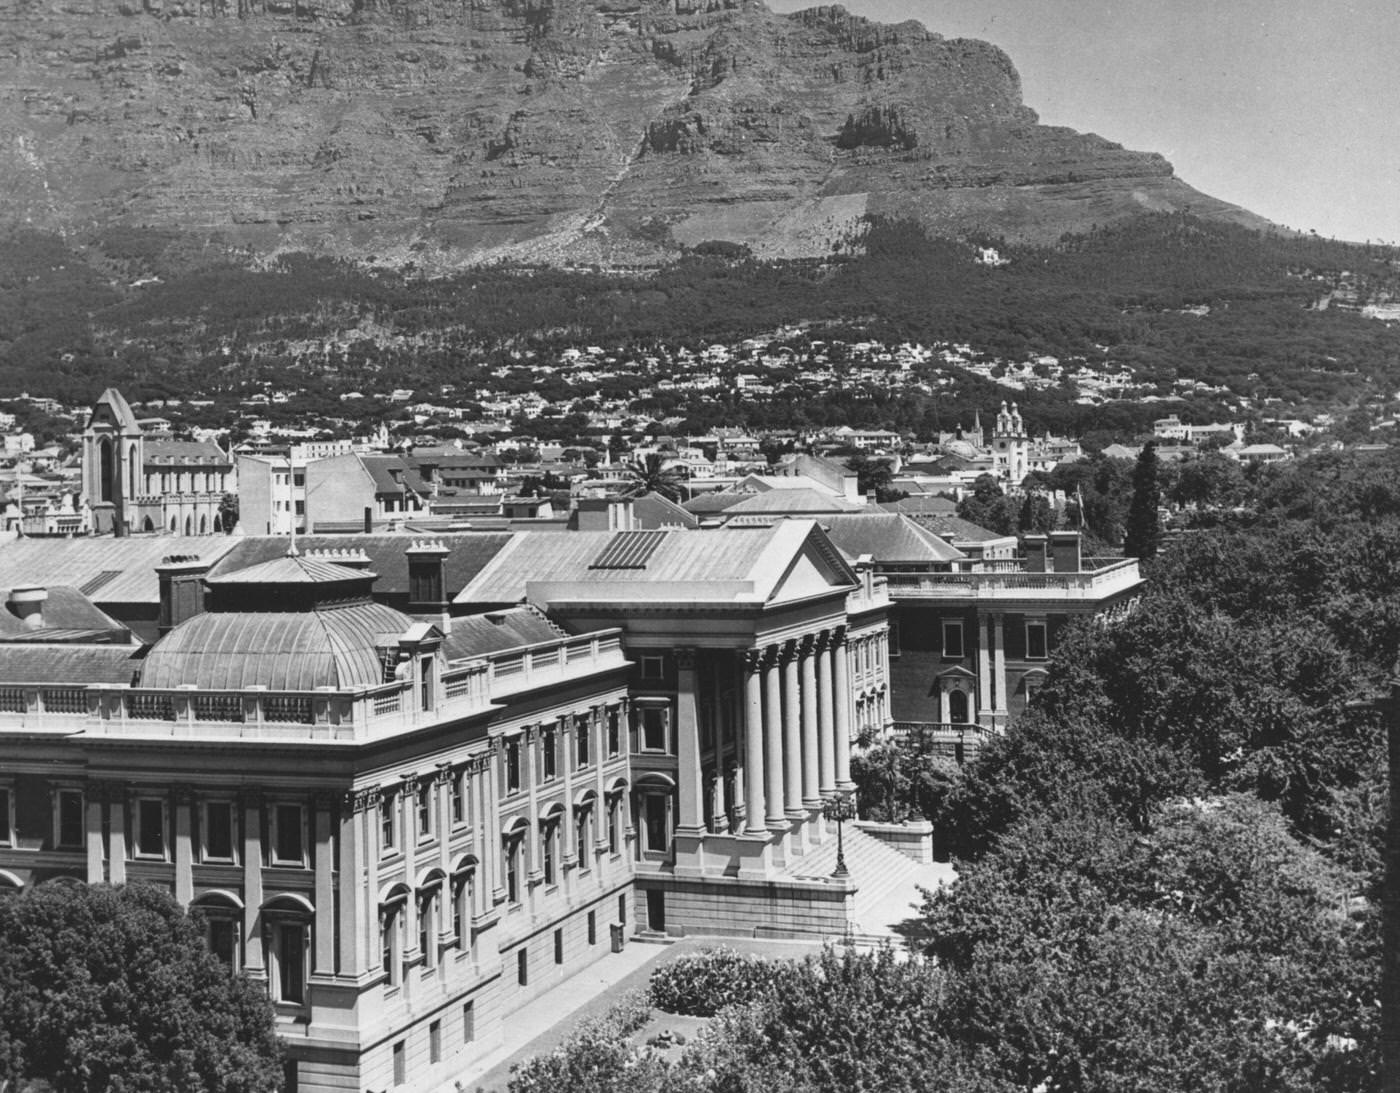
x=759 y=656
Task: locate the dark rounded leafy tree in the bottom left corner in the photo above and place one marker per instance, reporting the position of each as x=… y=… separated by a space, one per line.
x=115 y=990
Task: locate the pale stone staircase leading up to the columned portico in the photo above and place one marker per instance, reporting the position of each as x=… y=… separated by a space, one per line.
x=888 y=884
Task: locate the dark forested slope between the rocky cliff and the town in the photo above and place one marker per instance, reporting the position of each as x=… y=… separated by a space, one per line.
x=1168 y=299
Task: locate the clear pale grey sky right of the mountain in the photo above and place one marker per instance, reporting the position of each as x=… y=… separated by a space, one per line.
x=1290 y=108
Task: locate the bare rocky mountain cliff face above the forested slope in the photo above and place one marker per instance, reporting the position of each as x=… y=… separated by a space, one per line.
x=562 y=131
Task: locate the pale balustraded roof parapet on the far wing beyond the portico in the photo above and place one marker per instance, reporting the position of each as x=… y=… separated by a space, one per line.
x=999 y=580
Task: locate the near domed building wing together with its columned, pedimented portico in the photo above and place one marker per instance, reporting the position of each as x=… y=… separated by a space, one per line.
x=414 y=821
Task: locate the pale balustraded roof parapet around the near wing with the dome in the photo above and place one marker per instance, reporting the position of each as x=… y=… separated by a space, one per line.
x=328 y=716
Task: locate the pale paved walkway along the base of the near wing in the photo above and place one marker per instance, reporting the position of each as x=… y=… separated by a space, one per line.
x=544 y=1025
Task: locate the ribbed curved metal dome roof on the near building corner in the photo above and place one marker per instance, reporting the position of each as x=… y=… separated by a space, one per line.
x=331 y=647
